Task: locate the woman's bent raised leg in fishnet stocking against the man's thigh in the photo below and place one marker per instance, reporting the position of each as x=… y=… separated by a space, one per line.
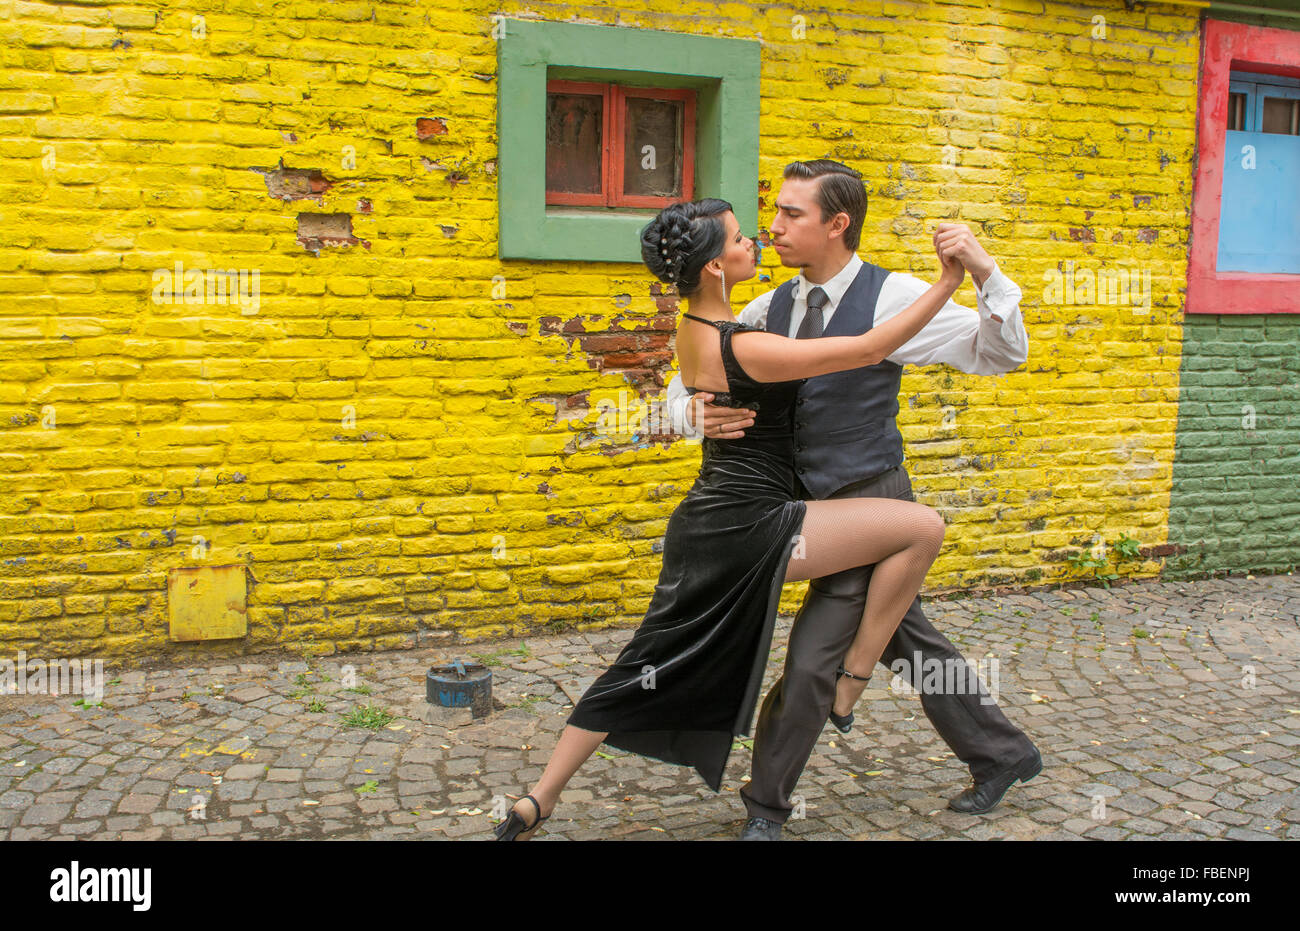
x=900 y=538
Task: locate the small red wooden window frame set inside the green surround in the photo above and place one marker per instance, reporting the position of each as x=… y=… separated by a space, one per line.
x=614 y=98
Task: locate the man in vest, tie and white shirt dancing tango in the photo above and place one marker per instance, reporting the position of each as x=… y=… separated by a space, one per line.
x=848 y=445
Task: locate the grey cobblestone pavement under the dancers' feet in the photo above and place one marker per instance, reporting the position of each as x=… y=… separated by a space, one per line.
x=1162 y=709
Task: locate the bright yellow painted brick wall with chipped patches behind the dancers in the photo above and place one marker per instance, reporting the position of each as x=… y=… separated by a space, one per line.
x=400 y=438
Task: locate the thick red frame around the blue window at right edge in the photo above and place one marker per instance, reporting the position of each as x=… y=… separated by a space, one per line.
x=1227 y=46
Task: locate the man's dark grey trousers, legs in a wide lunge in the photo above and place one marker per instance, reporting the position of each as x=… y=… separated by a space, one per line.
x=796 y=709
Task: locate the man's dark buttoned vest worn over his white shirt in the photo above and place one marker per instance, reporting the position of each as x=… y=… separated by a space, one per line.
x=844 y=422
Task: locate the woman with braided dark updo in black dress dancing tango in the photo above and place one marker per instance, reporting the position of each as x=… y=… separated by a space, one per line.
x=688 y=681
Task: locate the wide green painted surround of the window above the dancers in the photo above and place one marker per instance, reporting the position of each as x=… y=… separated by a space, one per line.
x=725 y=73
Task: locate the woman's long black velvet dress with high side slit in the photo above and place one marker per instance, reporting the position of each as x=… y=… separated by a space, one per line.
x=687 y=683
